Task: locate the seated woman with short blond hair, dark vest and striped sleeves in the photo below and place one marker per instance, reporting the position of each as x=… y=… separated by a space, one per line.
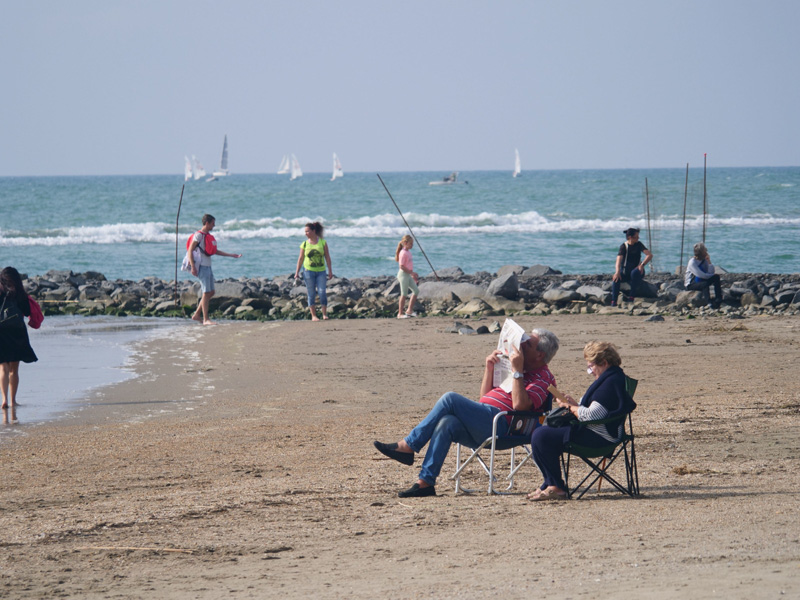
x=606 y=398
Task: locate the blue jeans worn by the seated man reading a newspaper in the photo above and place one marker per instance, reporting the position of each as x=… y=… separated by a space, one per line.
x=453 y=418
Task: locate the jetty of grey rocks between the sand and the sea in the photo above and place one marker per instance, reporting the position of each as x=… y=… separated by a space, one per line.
x=513 y=290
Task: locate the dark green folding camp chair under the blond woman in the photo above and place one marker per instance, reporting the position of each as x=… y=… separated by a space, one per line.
x=601 y=459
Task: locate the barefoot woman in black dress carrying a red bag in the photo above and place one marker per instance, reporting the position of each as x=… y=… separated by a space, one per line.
x=14 y=343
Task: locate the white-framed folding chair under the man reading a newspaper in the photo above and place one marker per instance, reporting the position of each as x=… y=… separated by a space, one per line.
x=522 y=425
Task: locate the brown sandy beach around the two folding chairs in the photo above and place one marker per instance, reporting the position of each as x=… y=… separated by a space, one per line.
x=240 y=464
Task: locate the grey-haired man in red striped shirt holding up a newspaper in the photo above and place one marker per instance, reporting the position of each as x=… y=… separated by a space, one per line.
x=455 y=418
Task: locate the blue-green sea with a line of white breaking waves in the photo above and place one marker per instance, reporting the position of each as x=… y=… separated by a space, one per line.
x=570 y=220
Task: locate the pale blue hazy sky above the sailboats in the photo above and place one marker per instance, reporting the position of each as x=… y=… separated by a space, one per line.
x=114 y=87
